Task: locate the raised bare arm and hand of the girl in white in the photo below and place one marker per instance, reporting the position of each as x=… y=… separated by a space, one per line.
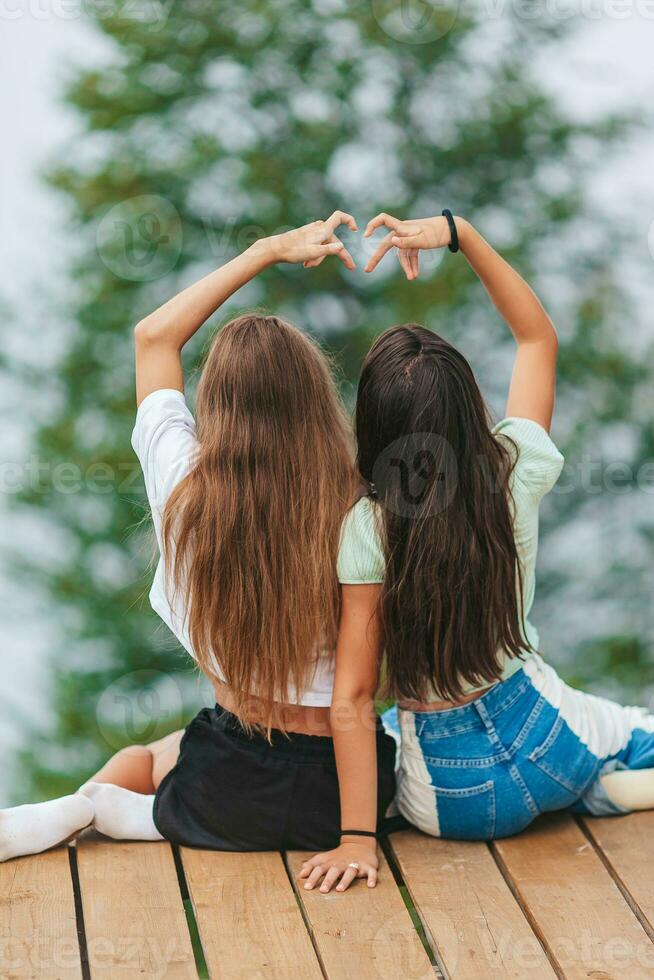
x=160 y=337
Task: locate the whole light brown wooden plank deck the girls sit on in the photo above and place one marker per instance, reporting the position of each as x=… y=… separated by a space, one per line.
x=567 y=898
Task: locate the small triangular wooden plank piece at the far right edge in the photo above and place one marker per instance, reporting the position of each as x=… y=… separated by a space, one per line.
x=627 y=846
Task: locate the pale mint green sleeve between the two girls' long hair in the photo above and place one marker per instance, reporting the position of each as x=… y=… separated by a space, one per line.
x=360 y=554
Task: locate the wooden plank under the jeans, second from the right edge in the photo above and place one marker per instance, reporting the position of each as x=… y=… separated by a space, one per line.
x=573 y=903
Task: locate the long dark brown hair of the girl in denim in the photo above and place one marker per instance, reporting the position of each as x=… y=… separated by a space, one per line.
x=452 y=596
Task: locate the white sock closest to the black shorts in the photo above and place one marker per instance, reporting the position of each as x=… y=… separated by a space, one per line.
x=120 y=813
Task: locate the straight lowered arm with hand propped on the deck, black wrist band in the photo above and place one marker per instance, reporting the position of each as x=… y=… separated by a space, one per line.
x=353 y=725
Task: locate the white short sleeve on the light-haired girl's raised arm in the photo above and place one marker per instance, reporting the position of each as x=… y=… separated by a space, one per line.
x=165 y=442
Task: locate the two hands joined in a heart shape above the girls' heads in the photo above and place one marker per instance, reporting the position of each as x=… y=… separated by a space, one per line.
x=312 y=243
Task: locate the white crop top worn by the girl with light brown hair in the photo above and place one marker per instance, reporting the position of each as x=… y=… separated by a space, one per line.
x=165 y=442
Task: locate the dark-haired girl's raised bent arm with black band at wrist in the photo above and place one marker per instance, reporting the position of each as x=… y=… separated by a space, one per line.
x=531 y=394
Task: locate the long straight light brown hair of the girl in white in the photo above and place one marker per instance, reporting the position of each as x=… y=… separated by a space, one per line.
x=251 y=534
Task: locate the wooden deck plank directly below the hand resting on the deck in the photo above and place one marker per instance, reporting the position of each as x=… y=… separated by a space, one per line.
x=363 y=932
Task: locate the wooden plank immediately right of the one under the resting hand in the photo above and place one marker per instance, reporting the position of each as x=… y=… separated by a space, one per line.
x=474 y=922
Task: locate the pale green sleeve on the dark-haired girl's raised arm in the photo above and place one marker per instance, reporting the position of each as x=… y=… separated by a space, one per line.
x=538 y=462
